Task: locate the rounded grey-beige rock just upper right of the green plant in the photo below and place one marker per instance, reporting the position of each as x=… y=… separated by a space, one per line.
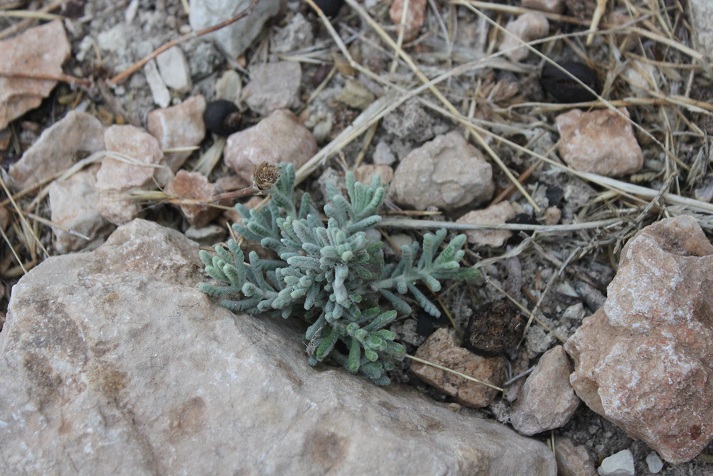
x=446 y=172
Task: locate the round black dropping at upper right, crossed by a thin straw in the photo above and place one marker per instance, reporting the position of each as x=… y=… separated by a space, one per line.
x=565 y=89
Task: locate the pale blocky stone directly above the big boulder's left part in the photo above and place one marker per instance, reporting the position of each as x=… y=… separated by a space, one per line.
x=73 y=206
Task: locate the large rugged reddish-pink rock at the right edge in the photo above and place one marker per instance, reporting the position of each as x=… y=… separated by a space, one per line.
x=644 y=360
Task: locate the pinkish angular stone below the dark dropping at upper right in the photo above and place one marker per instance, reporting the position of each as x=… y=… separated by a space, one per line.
x=601 y=142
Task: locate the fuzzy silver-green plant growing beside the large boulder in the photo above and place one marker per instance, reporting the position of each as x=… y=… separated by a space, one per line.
x=336 y=273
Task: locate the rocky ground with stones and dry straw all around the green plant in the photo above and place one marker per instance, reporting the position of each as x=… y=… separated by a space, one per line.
x=592 y=326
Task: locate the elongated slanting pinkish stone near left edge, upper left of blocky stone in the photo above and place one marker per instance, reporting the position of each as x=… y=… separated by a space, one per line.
x=76 y=136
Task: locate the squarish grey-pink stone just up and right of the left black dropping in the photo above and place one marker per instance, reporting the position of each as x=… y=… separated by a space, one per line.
x=273 y=86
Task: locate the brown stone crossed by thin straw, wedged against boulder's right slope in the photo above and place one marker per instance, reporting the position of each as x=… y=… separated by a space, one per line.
x=441 y=348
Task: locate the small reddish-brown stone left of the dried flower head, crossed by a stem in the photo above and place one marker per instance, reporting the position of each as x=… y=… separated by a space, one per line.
x=194 y=185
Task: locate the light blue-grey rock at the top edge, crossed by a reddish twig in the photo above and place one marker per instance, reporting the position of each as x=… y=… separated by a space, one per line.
x=234 y=39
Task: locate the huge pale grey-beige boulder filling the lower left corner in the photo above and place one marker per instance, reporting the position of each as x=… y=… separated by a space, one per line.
x=93 y=382
